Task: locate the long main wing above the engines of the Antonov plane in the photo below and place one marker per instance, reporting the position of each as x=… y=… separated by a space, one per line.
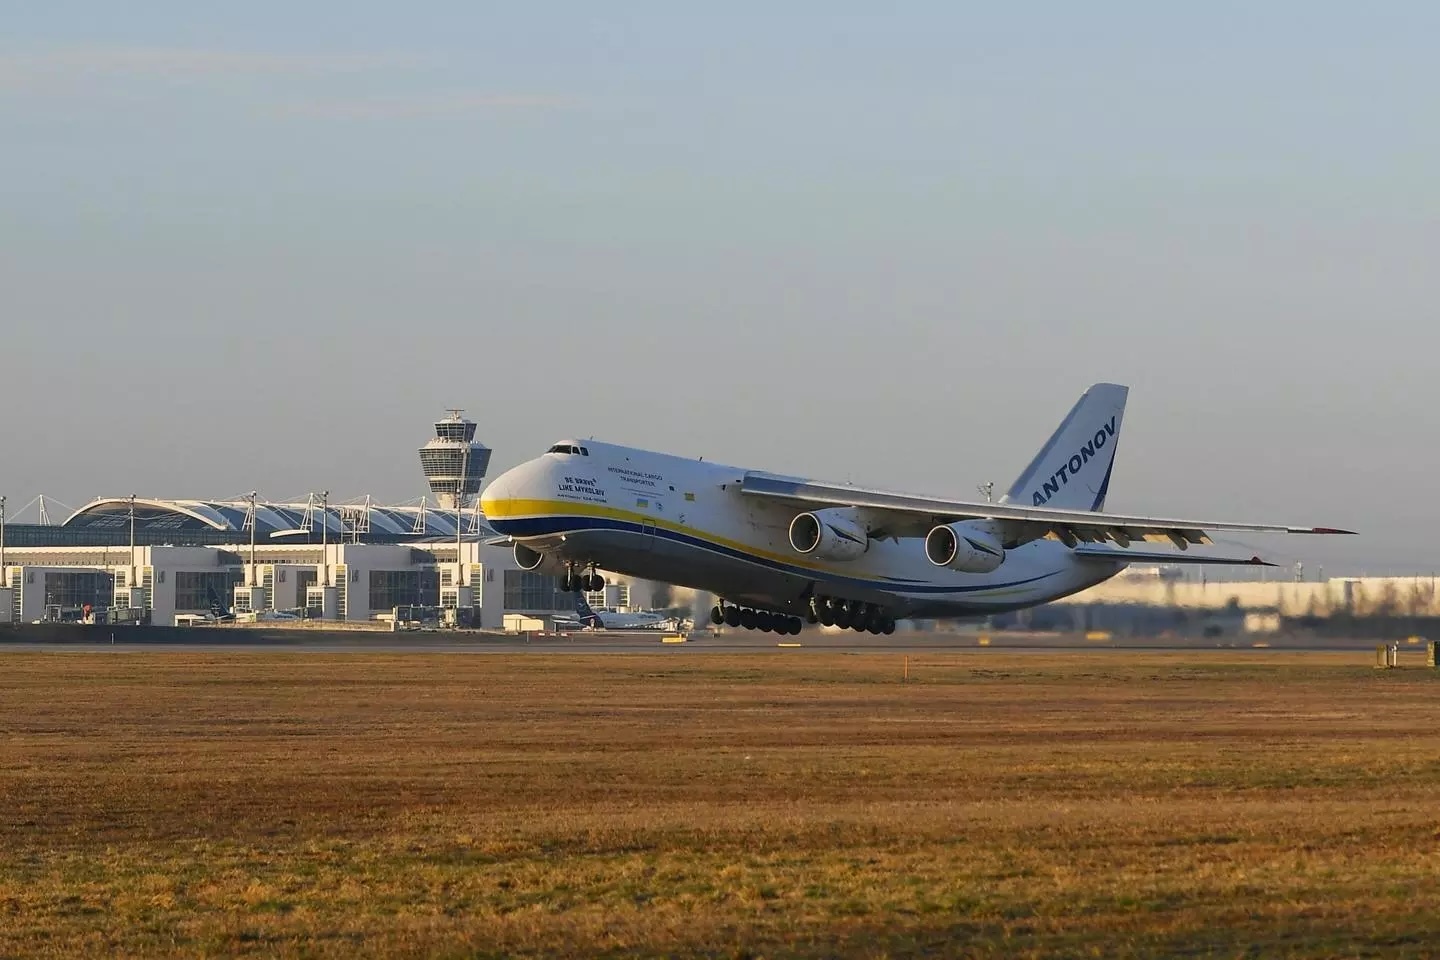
x=908 y=516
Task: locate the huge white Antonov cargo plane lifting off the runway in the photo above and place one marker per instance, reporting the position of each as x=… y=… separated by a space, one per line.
x=781 y=551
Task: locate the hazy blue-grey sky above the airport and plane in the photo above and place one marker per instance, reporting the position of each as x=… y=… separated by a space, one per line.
x=264 y=245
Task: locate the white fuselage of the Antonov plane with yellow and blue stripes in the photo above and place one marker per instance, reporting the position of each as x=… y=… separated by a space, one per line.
x=683 y=522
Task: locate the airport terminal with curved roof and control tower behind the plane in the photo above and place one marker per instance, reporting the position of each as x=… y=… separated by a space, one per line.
x=156 y=561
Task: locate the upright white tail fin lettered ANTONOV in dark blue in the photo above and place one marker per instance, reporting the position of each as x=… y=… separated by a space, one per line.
x=1074 y=468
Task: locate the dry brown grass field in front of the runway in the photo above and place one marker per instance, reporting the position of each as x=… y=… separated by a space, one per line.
x=768 y=805
